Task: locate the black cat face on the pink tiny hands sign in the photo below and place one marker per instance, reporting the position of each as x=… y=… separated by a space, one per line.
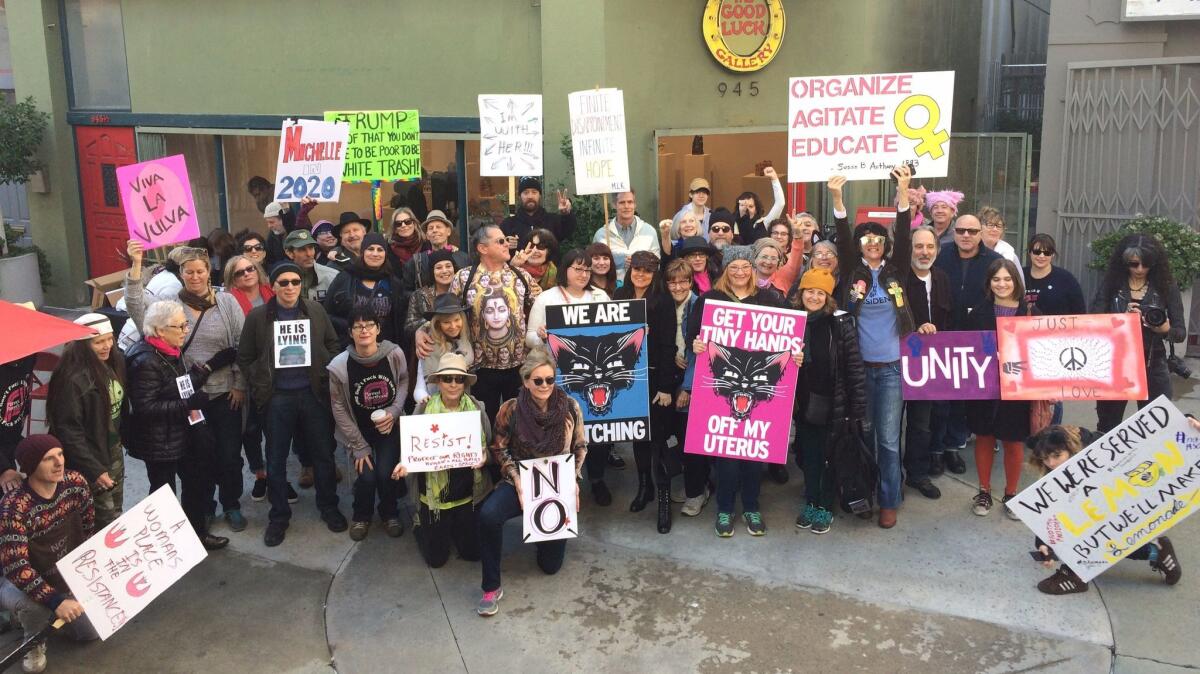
x=746 y=378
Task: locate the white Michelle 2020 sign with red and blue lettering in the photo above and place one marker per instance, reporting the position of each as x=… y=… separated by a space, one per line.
x=313 y=158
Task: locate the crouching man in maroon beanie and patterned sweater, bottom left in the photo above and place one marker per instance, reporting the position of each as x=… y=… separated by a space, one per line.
x=41 y=522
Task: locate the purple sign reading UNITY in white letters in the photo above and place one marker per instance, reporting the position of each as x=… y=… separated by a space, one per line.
x=950 y=366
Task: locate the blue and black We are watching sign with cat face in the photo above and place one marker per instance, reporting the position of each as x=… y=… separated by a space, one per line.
x=601 y=348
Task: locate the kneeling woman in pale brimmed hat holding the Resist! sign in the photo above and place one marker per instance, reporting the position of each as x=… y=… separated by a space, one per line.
x=446 y=511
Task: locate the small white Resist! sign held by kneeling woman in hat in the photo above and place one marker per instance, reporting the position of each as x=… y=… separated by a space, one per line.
x=440 y=442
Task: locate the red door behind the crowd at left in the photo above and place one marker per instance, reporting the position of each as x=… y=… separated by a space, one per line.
x=101 y=151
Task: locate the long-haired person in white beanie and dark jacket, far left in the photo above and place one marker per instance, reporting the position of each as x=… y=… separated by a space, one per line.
x=87 y=407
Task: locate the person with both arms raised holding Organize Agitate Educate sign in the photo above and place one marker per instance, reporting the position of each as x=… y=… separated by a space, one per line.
x=871 y=287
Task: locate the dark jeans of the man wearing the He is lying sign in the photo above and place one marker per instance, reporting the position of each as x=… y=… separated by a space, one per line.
x=295 y=416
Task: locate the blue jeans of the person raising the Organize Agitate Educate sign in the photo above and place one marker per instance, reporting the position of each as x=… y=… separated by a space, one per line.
x=885 y=404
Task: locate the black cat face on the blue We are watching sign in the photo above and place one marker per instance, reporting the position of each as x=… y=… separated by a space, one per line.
x=598 y=368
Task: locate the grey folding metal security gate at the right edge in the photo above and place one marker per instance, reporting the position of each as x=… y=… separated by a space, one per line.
x=1131 y=146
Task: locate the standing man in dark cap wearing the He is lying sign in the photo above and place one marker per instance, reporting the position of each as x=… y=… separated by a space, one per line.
x=292 y=399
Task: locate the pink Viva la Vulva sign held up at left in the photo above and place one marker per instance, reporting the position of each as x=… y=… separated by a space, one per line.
x=158 y=200
